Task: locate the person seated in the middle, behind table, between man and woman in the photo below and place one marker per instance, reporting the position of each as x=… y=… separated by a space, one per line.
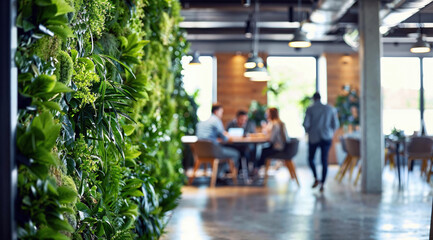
x=241 y=121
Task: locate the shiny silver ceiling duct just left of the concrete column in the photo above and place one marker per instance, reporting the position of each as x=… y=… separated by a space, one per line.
x=324 y=17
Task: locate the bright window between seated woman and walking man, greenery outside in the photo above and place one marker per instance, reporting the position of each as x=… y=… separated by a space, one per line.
x=293 y=79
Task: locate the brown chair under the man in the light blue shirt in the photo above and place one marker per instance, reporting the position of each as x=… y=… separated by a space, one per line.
x=206 y=152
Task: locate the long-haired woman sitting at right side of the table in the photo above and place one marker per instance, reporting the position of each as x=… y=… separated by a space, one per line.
x=277 y=133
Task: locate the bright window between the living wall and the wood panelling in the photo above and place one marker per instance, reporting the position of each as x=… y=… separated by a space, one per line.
x=198 y=81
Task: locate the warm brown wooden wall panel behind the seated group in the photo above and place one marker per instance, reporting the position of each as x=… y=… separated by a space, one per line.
x=234 y=91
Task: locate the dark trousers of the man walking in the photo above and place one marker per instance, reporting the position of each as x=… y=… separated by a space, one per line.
x=324 y=146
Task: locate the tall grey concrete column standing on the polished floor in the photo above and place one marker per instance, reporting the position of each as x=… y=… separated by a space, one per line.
x=370 y=51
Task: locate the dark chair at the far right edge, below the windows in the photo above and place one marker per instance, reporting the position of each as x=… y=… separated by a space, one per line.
x=420 y=148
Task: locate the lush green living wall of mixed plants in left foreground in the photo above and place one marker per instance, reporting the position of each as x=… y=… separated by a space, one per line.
x=101 y=114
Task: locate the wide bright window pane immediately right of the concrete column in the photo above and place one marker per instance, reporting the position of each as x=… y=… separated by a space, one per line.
x=400 y=78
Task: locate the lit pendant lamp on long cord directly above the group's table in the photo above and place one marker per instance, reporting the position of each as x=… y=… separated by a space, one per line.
x=255 y=68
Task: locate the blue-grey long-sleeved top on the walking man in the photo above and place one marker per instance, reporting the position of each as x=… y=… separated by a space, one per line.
x=320 y=122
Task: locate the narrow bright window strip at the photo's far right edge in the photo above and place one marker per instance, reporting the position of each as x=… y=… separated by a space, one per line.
x=428 y=94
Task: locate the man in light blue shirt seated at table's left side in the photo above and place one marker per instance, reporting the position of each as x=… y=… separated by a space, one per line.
x=213 y=130
